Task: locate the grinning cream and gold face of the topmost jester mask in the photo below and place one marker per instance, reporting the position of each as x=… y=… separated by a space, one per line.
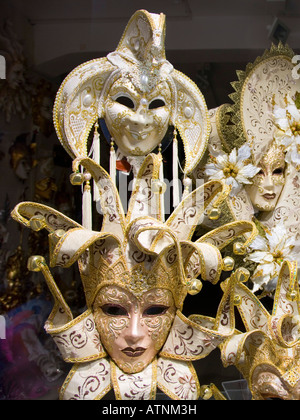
x=137 y=121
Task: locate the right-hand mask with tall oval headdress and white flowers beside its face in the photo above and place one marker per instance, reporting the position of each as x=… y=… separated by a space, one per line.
x=262 y=120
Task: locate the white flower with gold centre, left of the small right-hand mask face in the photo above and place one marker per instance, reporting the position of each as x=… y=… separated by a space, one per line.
x=234 y=168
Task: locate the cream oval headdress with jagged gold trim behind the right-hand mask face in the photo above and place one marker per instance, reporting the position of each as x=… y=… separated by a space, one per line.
x=253 y=96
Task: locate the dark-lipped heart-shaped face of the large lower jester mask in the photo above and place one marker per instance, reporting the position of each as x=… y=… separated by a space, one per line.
x=133 y=330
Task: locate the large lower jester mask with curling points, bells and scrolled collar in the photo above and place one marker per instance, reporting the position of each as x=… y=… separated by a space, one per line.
x=136 y=273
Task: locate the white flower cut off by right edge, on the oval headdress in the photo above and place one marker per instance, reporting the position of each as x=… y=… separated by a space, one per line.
x=287 y=120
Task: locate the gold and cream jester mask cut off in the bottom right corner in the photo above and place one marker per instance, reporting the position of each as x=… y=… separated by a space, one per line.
x=267 y=354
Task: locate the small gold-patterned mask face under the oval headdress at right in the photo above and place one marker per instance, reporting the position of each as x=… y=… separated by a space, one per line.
x=268 y=183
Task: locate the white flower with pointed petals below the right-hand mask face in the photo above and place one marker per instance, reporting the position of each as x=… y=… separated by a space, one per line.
x=269 y=253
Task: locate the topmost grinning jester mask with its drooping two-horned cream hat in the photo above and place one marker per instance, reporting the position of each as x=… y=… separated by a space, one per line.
x=139 y=95
